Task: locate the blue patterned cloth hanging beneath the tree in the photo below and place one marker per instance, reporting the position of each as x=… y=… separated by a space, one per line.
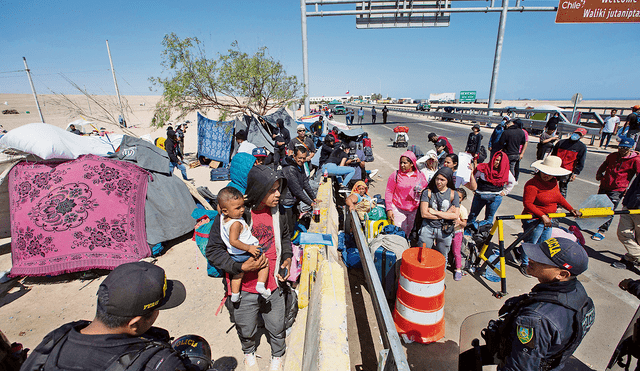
x=214 y=139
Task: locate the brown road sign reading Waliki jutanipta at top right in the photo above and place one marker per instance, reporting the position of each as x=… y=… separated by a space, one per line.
x=598 y=11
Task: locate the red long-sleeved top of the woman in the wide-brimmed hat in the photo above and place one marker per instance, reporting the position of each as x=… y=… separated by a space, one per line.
x=541 y=198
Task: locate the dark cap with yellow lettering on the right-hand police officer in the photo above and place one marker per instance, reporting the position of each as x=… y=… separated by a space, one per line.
x=560 y=252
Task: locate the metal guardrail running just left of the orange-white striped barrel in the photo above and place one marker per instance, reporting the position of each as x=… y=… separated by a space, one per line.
x=392 y=357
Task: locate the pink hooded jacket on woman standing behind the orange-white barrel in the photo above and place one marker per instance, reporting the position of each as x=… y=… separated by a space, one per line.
x=400 y=186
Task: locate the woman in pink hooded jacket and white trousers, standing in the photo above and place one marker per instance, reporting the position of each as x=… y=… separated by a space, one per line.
x=402 y=196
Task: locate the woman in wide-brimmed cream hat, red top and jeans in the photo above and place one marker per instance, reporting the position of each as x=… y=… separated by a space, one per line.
x=541 y=197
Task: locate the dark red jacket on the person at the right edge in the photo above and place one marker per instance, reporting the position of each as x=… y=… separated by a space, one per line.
x=617 y=172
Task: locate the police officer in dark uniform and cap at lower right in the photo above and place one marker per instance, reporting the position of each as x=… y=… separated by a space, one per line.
x=542 y=329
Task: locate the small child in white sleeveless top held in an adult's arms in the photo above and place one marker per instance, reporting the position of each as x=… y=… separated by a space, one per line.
x=241 y=244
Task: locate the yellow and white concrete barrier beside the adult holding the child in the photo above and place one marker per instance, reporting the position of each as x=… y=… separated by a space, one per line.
x=318 y=339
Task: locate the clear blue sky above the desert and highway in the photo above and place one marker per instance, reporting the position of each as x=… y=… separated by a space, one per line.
x=540 y=59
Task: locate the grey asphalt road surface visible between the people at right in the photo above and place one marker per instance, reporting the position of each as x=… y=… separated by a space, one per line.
x=614 y=307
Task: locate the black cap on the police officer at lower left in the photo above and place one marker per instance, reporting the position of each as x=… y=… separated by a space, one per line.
x=137 y=289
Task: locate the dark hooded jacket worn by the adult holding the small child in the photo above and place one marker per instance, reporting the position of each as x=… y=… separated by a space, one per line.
x=259 y=182
